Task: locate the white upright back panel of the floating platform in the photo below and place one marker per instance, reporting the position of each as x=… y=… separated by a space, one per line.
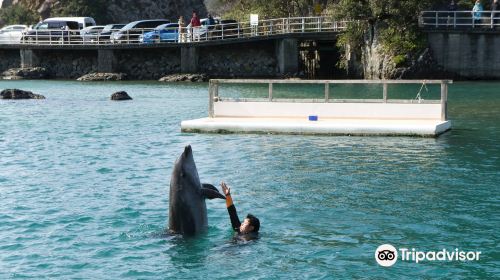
x=329 y=110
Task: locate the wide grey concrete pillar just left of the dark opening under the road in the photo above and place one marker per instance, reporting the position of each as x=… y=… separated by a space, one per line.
x=287 y=53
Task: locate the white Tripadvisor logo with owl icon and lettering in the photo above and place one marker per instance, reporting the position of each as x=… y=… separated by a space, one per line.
x=387 y=255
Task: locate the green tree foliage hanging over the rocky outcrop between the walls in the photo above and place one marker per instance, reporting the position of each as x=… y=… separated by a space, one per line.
x=394 y=21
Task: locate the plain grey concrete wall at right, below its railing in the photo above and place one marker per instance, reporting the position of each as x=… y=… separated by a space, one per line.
x=470 y=55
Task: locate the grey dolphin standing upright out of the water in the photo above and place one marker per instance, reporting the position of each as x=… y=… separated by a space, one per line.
x=187 y=207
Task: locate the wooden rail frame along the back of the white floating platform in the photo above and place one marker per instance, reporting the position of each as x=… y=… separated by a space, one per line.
x=214 y=84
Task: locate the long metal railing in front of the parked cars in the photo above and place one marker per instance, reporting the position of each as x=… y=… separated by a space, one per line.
x=186 y=34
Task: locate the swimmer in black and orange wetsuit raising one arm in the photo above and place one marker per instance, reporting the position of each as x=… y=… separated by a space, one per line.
x=250 y=225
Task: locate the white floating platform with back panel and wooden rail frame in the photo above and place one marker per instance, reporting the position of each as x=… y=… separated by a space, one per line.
x=380 y=117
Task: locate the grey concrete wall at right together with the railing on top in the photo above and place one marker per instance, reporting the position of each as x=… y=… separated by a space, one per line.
x=464 y=45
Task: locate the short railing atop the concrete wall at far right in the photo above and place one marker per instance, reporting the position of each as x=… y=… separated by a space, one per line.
x=459 y=19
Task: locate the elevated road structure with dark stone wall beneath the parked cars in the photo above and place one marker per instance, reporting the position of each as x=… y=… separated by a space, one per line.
x=282 y=50
